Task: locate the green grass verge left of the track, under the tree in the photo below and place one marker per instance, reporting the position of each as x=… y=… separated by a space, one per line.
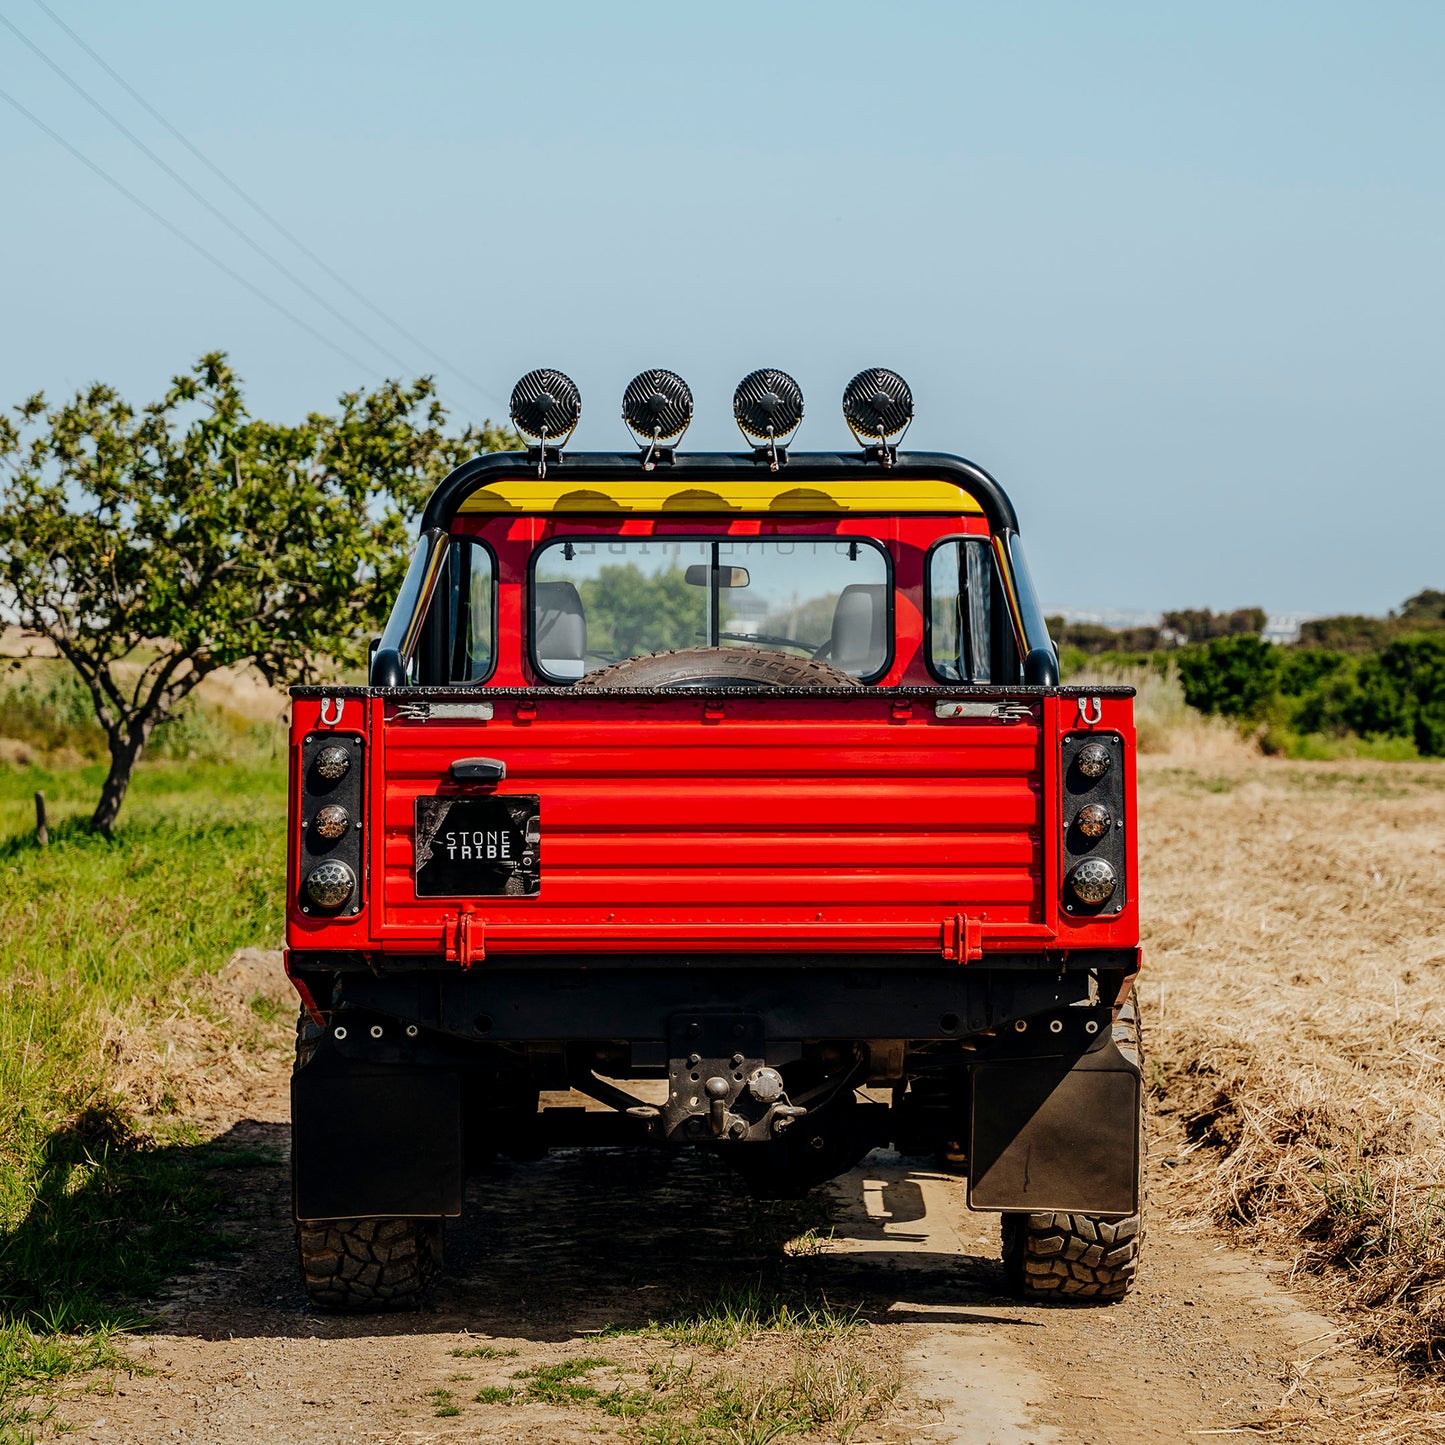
x=98 y=1204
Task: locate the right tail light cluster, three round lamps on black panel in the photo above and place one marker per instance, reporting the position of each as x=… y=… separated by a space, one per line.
x=1095 y=842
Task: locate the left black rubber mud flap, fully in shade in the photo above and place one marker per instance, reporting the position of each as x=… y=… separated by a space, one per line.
x=376 y=1144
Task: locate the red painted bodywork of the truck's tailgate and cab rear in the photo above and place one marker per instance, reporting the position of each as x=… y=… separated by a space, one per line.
x=746 y=824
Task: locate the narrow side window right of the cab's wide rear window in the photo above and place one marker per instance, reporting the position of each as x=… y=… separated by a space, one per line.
x=969 y=634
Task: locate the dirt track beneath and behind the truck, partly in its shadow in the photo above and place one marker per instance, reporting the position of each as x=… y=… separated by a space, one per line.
x=566 y=1261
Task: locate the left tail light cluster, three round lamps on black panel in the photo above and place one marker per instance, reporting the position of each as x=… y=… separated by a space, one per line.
x=333 y=778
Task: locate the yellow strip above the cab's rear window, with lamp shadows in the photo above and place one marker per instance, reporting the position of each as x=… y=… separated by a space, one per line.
x=657 y=492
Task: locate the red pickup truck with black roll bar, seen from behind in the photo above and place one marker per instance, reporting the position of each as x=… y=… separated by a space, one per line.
x=738 y=794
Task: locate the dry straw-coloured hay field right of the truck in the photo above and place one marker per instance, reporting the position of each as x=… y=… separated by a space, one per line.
x=1295 y=1002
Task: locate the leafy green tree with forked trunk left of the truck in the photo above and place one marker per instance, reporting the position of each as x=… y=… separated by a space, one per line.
x=155 y=547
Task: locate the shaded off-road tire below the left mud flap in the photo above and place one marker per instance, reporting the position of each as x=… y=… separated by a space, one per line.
x=369 y=1265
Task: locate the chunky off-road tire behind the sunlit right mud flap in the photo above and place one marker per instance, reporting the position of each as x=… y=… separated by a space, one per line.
x=1080 y=1256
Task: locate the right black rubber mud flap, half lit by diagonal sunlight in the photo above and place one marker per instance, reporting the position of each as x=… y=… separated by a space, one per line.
x=1056 y=1136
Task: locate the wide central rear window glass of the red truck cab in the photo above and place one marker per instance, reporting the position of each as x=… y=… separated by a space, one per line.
x=596 y=603
